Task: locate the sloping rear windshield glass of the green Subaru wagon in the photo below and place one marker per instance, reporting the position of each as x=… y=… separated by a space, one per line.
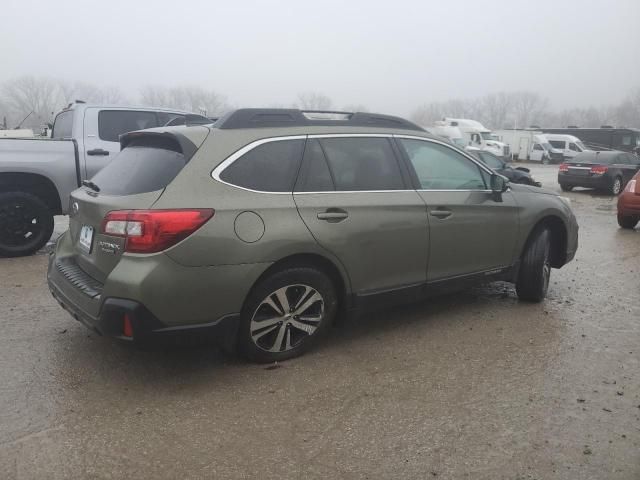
x=145 y=165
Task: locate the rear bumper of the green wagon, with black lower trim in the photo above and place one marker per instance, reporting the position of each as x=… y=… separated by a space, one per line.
x=161 y=297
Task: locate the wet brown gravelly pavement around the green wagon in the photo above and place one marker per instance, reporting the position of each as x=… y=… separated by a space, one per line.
x=475 y=385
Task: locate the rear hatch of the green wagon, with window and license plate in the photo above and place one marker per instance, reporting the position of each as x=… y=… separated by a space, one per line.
x=134 y=180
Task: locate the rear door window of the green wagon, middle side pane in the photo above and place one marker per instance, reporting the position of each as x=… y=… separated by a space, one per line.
x=362 y=163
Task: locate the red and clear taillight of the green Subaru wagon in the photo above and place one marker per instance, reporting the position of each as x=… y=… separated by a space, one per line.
x=150 y=231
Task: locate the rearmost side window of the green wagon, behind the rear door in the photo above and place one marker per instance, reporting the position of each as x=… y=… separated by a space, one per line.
x=270 y=167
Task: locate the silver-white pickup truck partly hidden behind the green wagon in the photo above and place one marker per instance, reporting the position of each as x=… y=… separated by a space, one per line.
x=37 y=175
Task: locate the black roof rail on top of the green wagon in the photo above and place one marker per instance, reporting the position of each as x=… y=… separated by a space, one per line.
x=290 y=117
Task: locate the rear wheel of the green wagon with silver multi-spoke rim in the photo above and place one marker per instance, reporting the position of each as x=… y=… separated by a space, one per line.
x=286 y=314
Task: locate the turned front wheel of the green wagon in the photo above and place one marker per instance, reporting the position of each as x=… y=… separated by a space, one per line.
x=535 y=268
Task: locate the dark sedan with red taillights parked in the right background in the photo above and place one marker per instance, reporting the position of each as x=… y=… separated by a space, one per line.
x=606 y=171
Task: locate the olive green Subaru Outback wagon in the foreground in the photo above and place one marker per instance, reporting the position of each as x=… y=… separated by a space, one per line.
x=260 y=228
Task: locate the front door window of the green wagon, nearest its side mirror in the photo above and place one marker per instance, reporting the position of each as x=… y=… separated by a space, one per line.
x=441 y=168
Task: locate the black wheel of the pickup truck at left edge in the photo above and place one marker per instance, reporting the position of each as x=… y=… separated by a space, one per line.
x=26 y=224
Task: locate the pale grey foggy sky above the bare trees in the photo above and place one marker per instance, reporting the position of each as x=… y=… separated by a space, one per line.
x=390 y=56
